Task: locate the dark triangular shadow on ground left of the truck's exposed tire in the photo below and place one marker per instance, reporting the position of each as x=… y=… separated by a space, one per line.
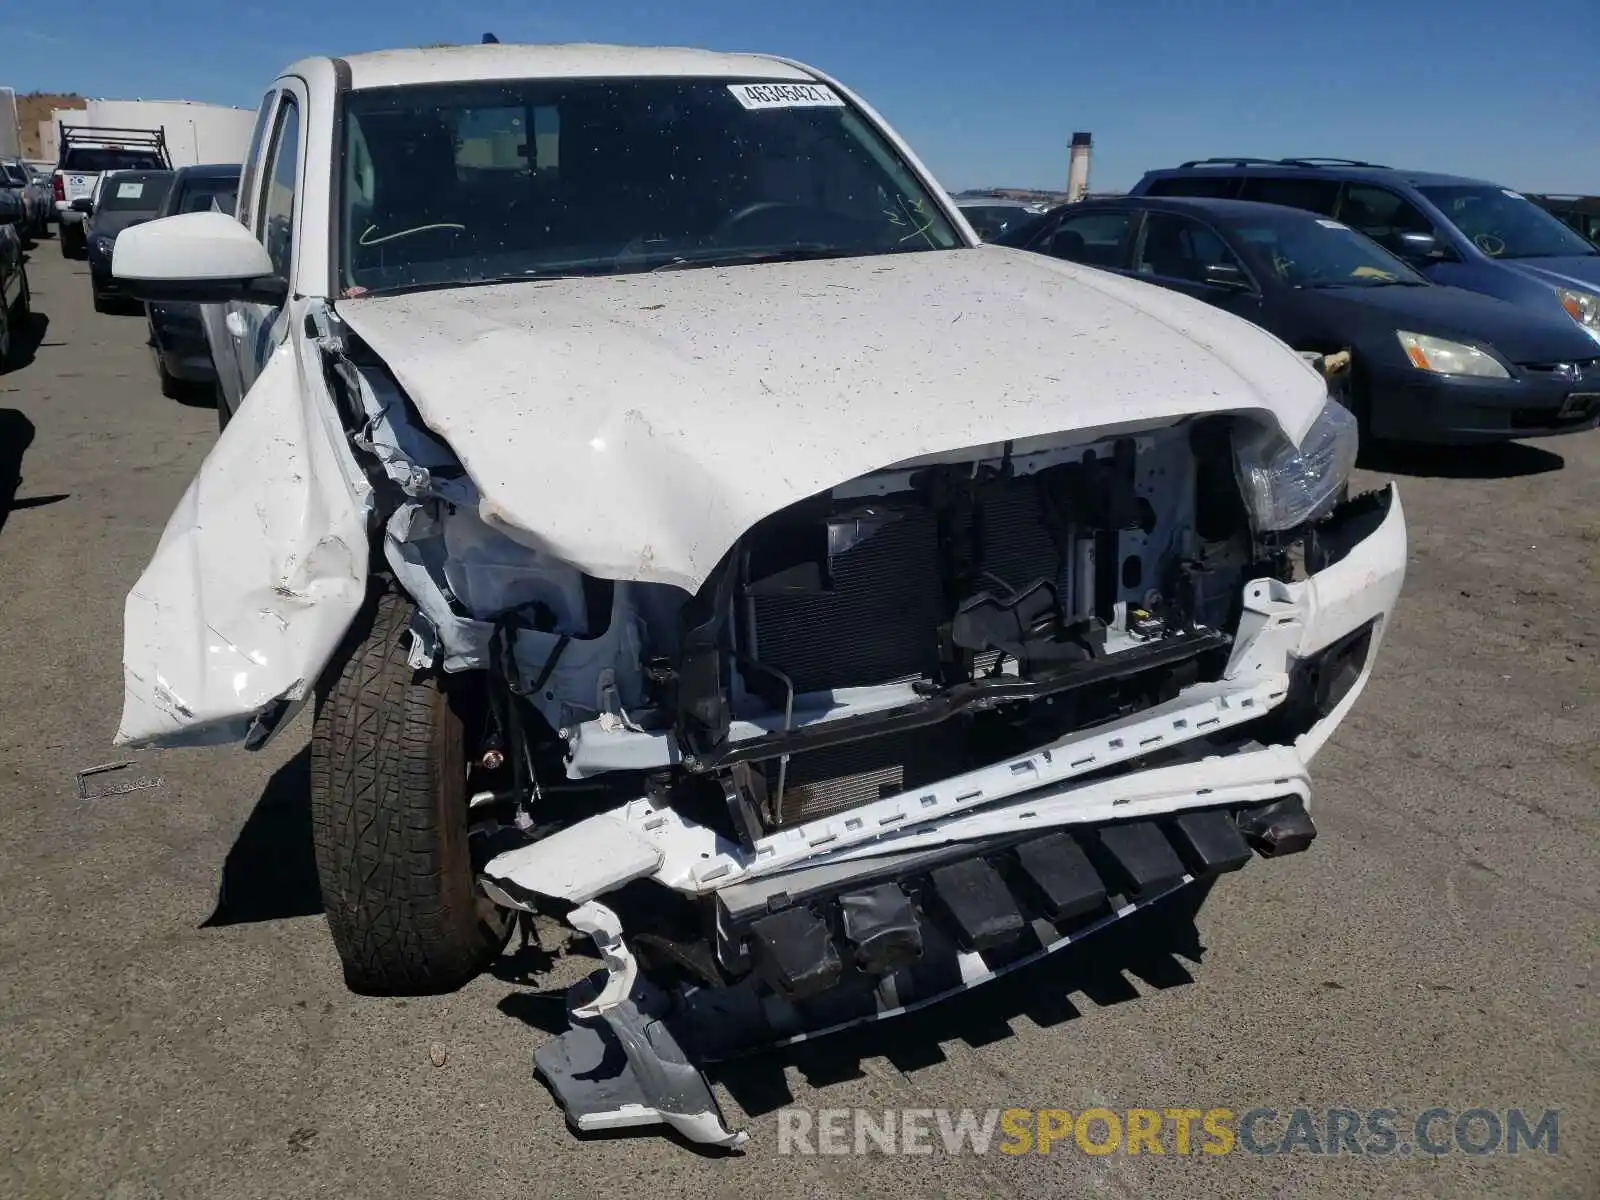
x=271 y=871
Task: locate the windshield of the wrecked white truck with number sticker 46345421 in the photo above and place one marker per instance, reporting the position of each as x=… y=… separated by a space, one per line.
x=449 y=185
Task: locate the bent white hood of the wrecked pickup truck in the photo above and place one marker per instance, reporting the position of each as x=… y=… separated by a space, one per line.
x=638 y=426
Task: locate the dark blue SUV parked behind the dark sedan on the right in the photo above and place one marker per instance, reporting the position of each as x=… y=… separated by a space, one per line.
x=1463 y=233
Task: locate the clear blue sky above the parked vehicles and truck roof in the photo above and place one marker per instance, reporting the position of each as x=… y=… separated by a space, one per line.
x=986 y=92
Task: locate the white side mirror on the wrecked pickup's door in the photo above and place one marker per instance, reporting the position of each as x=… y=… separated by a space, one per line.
x=196 y=258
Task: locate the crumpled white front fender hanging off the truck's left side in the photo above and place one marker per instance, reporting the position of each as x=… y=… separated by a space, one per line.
x=258 y=574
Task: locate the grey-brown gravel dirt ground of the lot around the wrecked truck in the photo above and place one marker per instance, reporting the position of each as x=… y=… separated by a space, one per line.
x=174 y=1022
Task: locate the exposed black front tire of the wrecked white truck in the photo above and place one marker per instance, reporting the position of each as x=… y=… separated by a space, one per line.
x=390 y=818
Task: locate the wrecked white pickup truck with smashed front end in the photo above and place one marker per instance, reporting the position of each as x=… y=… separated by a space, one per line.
x=687 y=529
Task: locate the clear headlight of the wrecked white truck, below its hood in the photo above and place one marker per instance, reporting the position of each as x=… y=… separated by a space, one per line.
x=1289 y=486
